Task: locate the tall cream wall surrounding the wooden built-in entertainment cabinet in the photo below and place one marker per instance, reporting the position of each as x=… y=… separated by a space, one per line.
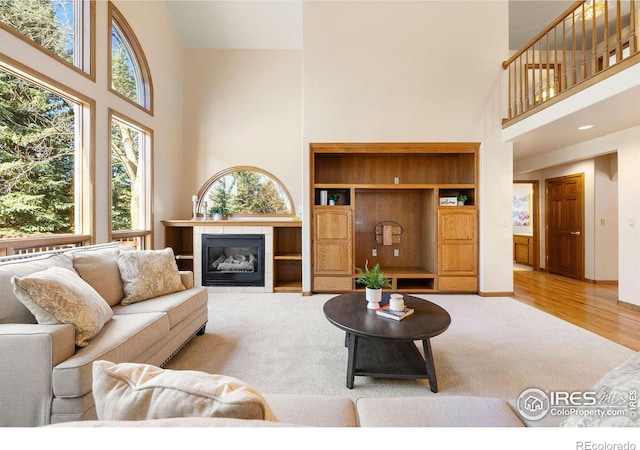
x=397 y=71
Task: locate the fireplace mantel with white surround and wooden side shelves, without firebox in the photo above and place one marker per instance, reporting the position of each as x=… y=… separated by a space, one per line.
x=283 y=249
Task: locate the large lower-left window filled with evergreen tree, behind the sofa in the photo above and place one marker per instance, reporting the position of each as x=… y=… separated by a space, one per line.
x=40 y=179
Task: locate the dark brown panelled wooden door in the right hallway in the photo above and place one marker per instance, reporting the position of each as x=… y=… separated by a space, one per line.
x=565 y=235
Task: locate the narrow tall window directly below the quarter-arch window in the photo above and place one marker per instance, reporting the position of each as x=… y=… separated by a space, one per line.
x=130 y=180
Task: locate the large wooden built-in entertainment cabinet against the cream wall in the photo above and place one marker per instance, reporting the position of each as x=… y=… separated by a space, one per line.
x=388 y=211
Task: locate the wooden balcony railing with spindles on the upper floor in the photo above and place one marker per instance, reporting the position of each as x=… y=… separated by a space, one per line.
x=588 y=40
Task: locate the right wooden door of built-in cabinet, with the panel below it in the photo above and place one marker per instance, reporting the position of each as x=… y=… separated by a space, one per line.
x=458 y=249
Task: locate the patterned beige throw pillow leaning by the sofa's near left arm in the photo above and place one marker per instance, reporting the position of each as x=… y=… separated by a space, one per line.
x=59 y=295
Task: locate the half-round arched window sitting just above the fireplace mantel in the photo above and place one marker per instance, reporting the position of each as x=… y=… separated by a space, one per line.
x=243 y=191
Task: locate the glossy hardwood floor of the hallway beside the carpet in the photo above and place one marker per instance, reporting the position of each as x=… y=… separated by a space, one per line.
x=587 y=305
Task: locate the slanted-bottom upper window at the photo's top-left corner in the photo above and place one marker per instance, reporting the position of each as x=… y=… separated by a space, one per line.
x=61 y=27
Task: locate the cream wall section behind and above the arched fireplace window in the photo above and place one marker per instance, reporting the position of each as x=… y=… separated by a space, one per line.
x=242 y=108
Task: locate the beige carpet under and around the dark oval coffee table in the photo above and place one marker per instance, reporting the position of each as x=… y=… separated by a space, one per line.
x=282 y=343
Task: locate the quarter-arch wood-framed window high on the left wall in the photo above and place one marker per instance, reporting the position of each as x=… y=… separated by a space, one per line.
x=129 y=73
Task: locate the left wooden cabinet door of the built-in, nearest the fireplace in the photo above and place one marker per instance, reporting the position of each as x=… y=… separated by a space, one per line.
x=332 y=241
